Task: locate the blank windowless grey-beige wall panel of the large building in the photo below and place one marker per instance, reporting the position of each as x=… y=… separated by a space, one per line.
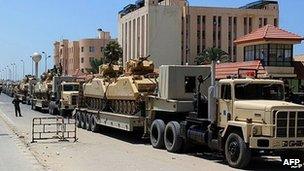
x=164 y=35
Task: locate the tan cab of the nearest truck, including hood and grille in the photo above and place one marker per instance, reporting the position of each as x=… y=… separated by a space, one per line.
x=256 y=111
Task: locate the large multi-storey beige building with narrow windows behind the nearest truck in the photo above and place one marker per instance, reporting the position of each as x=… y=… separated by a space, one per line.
x=173 y=32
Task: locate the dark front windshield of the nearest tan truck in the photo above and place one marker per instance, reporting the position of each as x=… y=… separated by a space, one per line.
x=259 y=91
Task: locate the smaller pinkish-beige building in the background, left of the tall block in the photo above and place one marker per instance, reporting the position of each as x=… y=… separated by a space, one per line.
x=76 y=55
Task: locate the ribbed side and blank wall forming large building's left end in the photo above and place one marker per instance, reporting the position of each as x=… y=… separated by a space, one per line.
x=152 y=30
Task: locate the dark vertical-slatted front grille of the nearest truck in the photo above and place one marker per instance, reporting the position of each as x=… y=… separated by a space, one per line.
x=289 y=124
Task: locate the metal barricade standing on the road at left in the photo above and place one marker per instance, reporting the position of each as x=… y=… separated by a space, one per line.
x=47 y=128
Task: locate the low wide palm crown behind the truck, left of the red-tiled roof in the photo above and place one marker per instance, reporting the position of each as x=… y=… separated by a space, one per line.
x=211 y=54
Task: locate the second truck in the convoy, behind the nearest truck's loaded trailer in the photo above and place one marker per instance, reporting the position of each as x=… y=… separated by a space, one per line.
x=64 y=95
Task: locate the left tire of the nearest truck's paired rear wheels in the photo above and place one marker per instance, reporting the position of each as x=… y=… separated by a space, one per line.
x=157 y=134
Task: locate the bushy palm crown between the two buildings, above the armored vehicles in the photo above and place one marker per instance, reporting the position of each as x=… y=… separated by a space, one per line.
x=112 y=52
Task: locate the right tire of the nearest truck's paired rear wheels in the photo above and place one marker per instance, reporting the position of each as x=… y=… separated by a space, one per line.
x=173 y=139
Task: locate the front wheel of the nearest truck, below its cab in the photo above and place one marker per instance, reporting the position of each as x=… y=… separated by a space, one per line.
x=237 y=153
